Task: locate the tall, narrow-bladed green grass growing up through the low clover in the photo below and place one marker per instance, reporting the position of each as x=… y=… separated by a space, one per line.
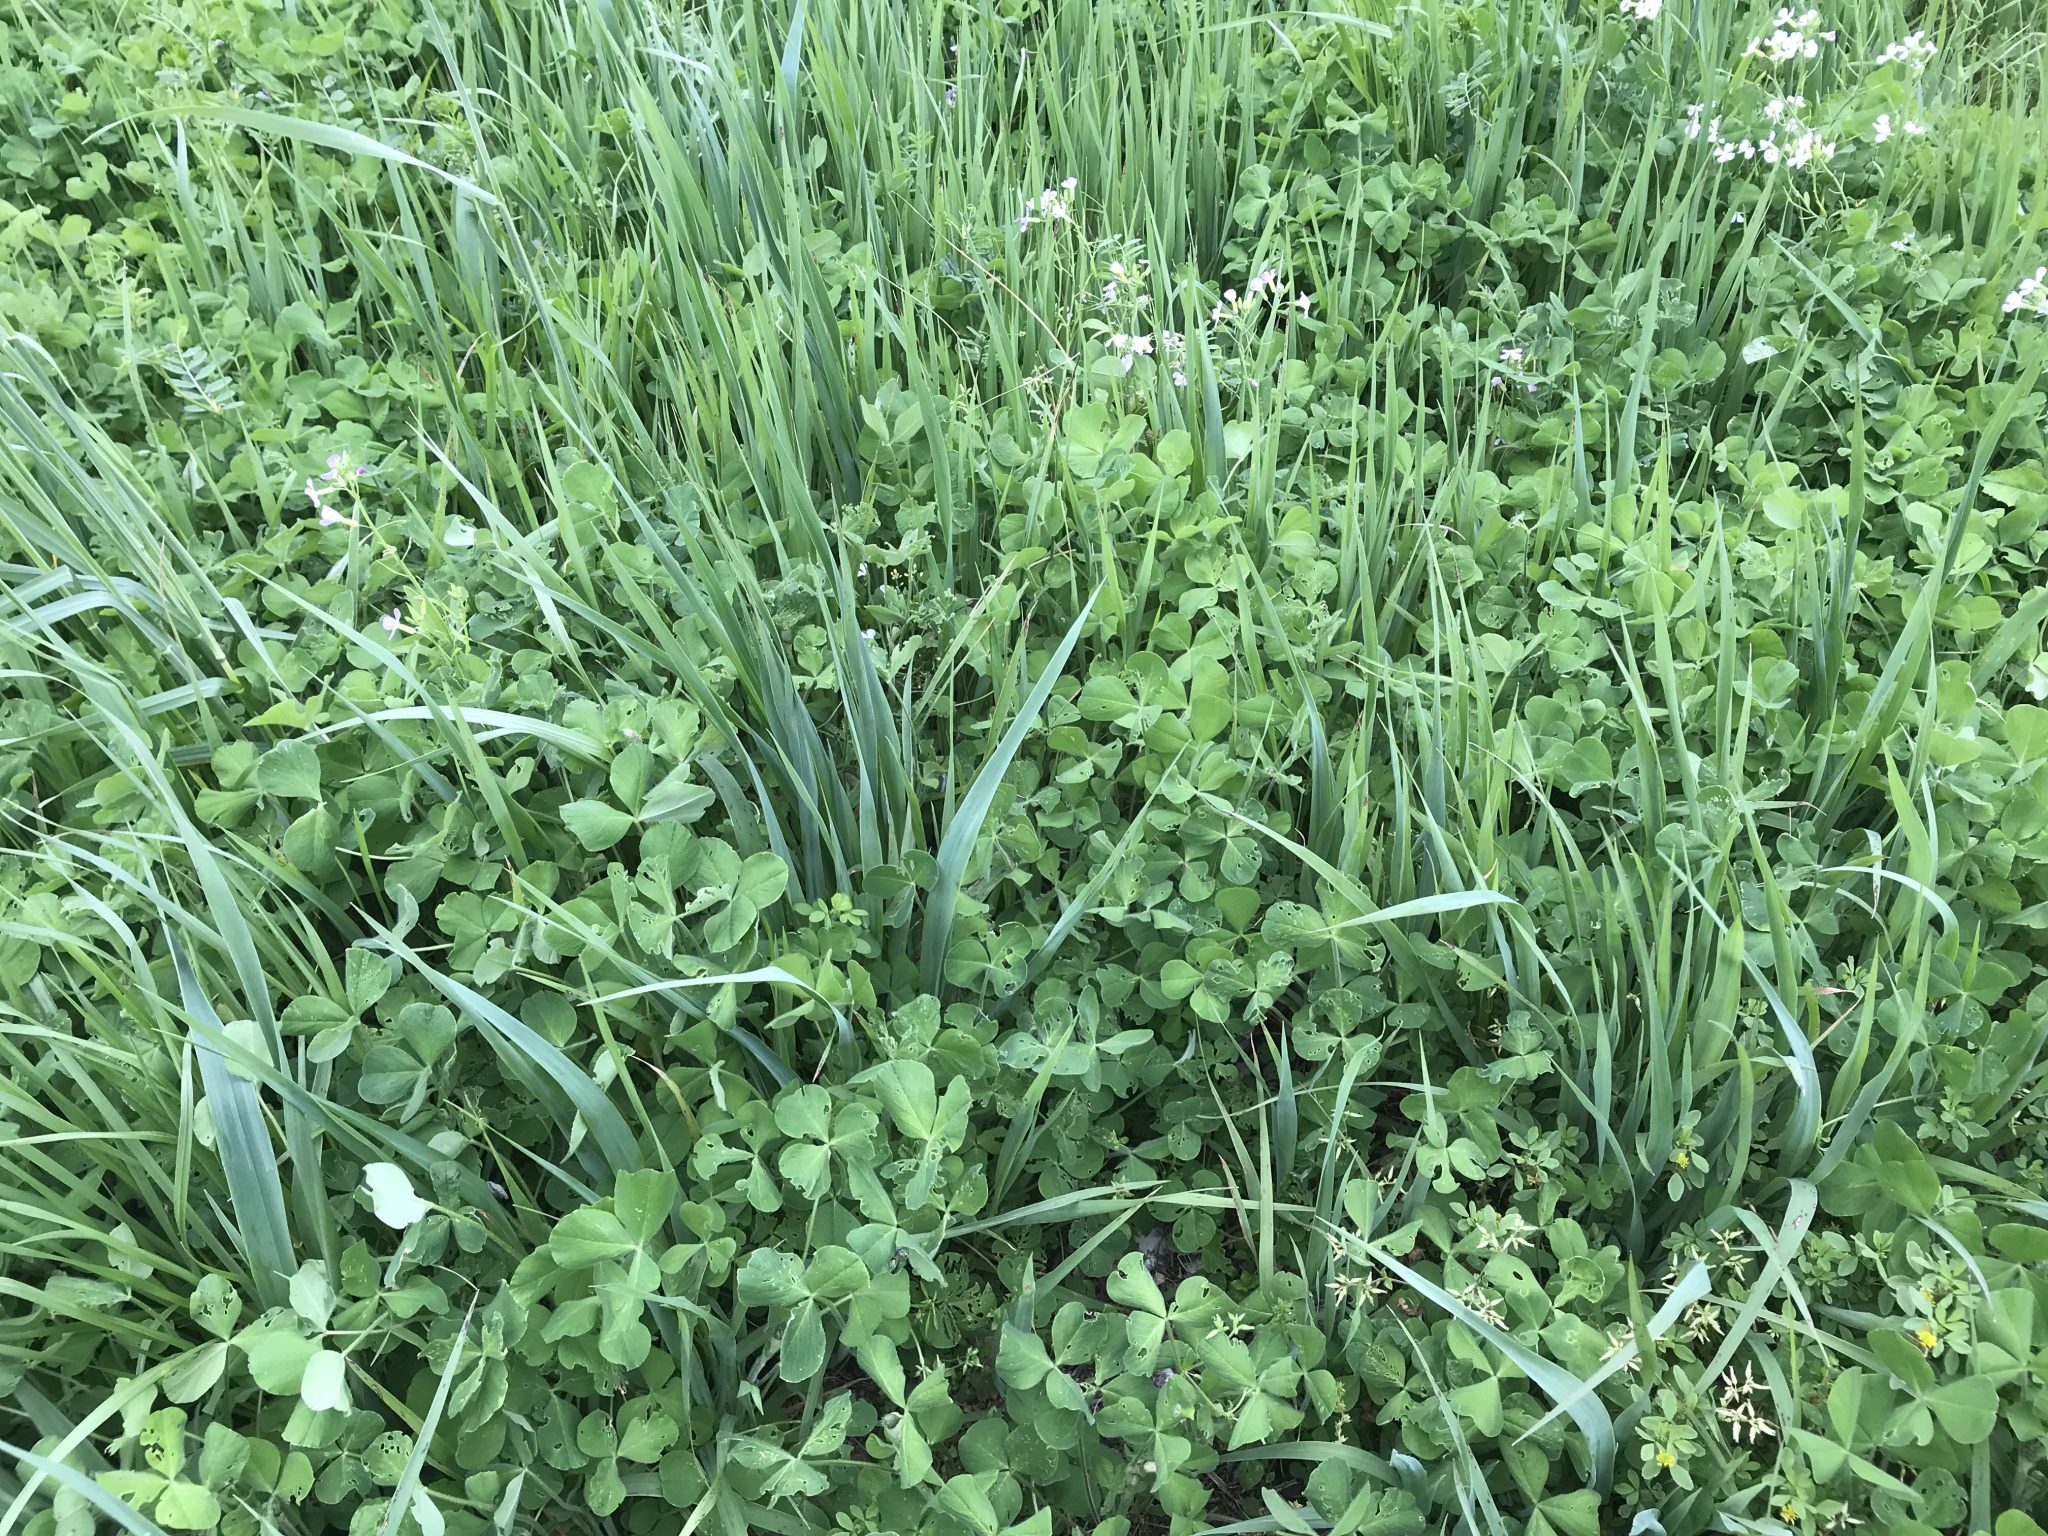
x=669 y=298
